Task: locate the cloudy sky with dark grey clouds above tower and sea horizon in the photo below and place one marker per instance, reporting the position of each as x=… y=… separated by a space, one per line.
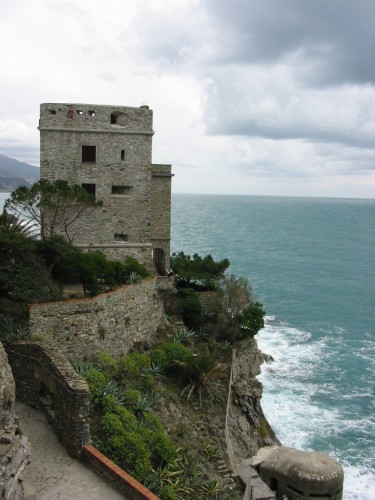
x=268 y=97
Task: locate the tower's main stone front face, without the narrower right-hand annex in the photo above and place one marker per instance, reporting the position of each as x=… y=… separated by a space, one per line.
x=119 y=173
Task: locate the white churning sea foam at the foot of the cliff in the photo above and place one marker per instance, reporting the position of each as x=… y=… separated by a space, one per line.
x=292 y=401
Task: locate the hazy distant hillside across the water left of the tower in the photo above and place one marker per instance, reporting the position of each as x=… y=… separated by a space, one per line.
x=14 y=173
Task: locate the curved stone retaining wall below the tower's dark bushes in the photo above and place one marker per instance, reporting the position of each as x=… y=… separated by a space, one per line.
x=113 y=322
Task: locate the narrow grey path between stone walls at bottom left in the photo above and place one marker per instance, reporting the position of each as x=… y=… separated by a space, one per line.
x=52 y=474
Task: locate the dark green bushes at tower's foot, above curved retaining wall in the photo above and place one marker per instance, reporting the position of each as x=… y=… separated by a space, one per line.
x=36 y=270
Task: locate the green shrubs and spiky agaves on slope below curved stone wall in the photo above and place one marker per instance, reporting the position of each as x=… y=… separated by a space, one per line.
x=127 y=397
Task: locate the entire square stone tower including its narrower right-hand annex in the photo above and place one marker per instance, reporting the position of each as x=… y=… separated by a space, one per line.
x=107 y=150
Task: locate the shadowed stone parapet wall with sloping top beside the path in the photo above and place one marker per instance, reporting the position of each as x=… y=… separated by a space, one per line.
x=47 y=381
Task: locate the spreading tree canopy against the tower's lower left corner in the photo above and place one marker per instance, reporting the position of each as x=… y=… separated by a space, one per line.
x=50 y=205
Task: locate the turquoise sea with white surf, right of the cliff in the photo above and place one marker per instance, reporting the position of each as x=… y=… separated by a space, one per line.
x=311 y=262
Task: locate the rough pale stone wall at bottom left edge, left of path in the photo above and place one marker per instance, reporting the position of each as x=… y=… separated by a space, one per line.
x=14 y=447
